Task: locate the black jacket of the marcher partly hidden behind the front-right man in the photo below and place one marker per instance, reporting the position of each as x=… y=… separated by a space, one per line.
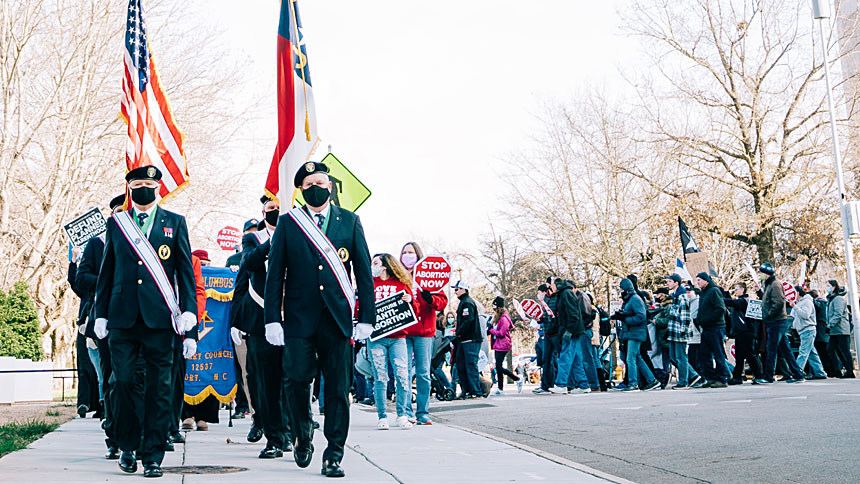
x=246 y=314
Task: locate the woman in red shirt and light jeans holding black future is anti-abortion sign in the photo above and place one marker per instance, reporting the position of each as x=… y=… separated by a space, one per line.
x=389 y=279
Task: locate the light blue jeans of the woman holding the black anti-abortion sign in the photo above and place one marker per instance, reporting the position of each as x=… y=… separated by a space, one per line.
x=383 y=351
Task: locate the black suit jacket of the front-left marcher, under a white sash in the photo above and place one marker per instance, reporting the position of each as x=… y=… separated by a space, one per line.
x=125 y=288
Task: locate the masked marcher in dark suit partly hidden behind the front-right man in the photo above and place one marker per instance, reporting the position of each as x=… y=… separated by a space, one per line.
x=265 y=371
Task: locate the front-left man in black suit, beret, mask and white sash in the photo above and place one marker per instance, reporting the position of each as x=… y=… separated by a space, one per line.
x=146 y=253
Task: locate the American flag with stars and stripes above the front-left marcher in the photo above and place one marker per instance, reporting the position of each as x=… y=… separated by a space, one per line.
x=153 y=138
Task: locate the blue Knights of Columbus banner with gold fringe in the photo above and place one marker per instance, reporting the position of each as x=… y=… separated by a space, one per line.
x=211 y=370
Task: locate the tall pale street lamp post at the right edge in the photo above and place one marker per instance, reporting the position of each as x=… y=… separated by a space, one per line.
x=821 y=11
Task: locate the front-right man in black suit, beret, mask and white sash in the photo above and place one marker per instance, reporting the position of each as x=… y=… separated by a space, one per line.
x=309 y=277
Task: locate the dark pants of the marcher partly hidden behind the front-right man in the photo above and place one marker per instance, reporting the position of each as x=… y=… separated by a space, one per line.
x=269 y=377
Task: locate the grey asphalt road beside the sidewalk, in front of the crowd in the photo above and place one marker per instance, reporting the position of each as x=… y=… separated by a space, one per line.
x=806 y=432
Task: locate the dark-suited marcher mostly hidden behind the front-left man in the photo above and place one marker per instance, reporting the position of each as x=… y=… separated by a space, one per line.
x=86 y=280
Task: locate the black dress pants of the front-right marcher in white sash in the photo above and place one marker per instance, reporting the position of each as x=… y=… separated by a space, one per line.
x=329 y=351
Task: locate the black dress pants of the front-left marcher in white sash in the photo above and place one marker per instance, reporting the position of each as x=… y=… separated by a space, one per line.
x=156 y=348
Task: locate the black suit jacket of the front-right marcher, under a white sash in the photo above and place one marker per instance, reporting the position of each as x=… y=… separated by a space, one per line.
x=299 y=278
